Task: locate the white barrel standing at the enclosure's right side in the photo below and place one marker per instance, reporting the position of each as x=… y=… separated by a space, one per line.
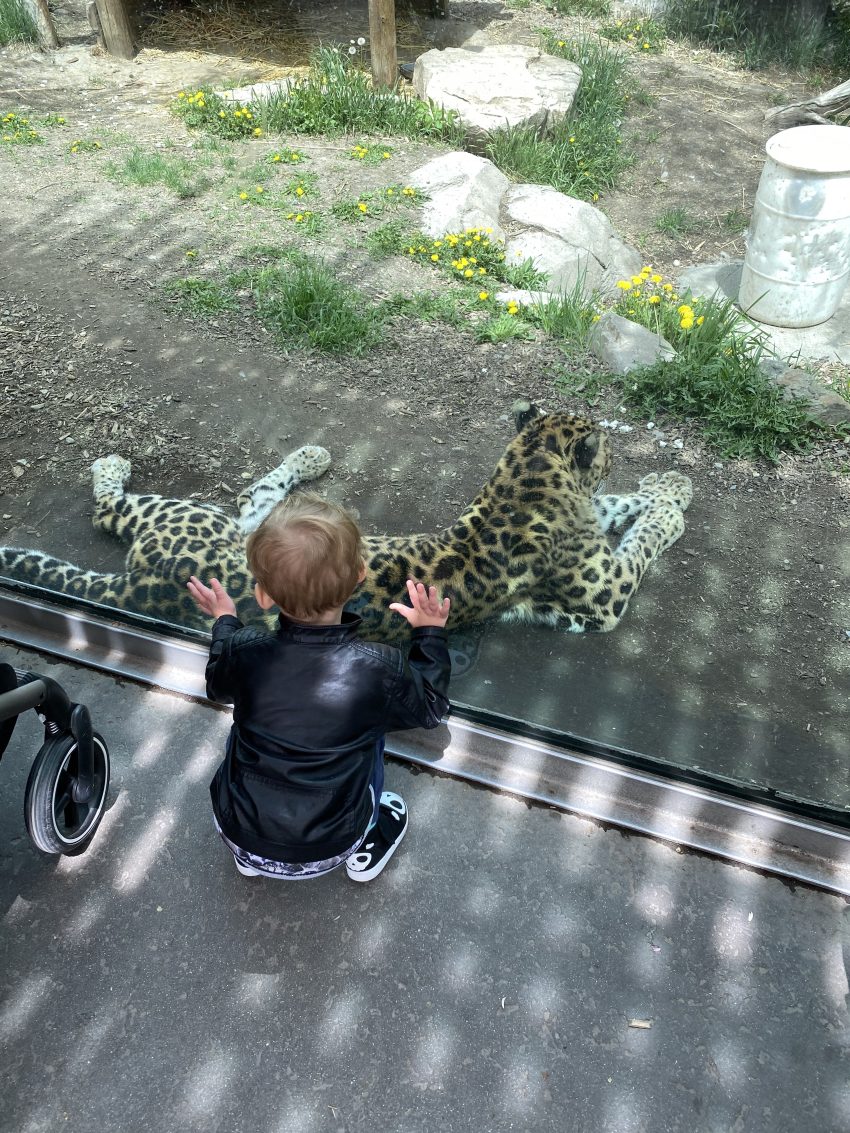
x=798 y=252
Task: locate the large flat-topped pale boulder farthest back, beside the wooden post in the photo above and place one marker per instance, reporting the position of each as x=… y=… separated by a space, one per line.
x=499 y=87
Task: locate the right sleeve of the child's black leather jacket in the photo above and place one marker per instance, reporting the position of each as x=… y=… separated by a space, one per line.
x=421 y=696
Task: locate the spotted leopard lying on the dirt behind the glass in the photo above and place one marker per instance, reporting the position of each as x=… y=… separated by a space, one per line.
x=540 y=543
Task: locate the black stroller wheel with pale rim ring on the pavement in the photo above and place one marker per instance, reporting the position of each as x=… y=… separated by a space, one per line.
x=57 y=823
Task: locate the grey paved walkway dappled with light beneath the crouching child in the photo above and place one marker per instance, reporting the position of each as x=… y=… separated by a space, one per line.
x=486 y=983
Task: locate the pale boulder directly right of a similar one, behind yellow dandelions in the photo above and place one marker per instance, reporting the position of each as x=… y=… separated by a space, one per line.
x=568 y=240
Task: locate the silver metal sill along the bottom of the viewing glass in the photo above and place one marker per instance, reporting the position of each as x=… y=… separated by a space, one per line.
x=692 y=811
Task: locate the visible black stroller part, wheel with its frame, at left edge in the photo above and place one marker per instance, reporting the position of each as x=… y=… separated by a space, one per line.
x=66 y=791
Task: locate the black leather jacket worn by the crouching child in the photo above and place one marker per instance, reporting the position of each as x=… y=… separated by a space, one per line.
x=310 y=705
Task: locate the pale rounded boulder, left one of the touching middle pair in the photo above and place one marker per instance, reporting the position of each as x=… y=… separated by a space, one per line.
x=464 y=192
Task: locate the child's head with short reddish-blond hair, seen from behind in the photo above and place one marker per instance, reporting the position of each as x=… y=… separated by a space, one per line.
x=307 y=556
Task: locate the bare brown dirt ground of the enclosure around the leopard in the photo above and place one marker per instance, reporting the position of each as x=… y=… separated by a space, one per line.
x=750 y=609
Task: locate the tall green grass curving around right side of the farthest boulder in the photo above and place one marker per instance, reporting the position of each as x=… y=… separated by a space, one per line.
x=585 y=155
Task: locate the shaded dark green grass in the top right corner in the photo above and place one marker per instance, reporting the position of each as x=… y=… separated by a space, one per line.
x=758 y=38
